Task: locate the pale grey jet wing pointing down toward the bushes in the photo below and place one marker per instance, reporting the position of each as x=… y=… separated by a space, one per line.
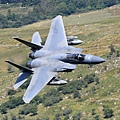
x=41 y=76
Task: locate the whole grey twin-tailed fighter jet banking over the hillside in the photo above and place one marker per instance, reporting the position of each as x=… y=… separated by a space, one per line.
x=55 y=56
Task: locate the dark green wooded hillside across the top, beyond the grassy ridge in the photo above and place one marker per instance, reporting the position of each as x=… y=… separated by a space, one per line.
x=17 y=13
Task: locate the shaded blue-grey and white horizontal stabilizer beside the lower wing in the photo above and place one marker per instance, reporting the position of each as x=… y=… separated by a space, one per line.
x=21 y=79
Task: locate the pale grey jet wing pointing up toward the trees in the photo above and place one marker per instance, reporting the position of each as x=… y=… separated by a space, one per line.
x=56 y=37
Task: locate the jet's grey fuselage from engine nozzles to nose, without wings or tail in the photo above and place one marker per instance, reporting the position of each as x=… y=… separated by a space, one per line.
x=62 y=57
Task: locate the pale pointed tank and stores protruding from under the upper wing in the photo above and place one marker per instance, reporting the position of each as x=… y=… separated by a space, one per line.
x=72 y=40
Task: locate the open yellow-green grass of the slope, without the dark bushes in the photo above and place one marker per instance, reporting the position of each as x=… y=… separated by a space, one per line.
x=98 y=30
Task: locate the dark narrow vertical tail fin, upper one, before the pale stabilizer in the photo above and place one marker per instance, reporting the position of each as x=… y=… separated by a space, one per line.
x=29 y=44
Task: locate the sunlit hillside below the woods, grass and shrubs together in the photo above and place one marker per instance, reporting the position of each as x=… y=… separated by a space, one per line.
x=100 y=32
